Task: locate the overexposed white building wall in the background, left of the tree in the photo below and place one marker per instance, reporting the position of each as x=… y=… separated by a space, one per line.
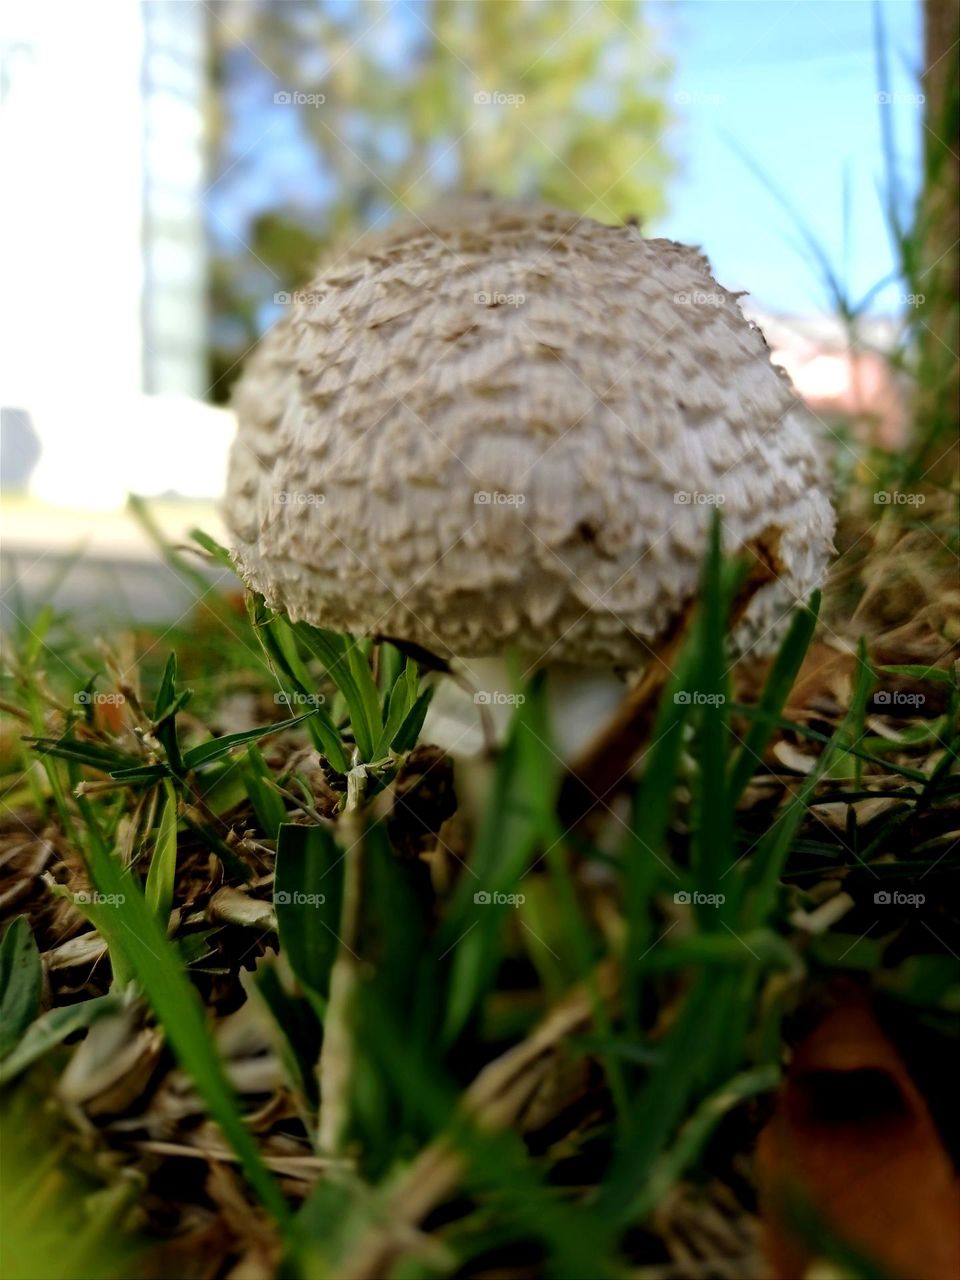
x=103 y=264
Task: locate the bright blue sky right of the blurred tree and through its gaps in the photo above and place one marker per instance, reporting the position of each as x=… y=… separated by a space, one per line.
x=789 y=84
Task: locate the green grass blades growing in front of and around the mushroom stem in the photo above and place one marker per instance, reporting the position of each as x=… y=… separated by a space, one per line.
x=392 y=991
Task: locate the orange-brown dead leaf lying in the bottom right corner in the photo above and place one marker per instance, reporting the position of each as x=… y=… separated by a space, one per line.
x=853 y=1140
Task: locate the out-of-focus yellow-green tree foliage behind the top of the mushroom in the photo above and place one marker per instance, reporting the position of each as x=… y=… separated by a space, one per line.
x=557 y=99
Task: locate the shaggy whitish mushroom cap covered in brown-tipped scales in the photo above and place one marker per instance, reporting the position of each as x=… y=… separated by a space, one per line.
x=505 y=426
